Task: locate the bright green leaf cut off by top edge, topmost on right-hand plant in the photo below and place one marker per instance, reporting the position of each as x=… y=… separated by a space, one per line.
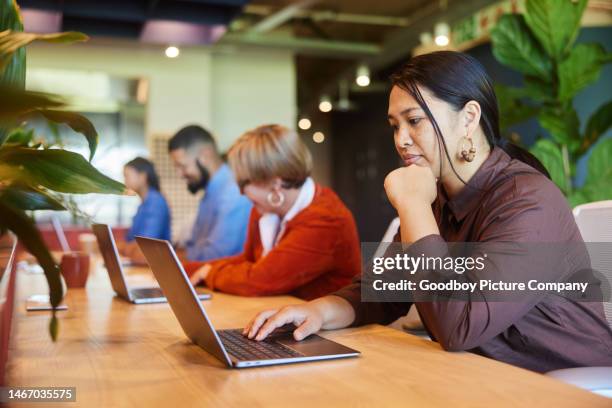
x=554 y=23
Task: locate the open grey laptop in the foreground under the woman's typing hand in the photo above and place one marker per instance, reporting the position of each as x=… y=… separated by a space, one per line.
x=229 y=346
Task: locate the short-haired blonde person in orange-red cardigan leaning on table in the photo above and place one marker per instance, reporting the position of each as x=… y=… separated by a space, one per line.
x=301 y=240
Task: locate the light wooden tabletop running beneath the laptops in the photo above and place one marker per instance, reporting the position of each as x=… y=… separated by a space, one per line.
x=117 y=354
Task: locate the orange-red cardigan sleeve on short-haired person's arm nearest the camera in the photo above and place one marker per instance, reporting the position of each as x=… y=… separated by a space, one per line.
x=305 y=252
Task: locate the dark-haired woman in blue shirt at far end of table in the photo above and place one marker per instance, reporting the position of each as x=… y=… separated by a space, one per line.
x=152 y=218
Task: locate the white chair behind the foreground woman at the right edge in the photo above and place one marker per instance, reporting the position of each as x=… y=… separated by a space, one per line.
x=595 y=223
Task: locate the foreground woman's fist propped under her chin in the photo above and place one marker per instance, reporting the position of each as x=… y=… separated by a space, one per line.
x=411 y=184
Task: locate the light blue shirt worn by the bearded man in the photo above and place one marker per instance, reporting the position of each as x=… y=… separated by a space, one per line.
x=221 y=225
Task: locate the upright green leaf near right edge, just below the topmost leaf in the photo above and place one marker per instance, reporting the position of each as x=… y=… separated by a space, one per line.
x=581 y=68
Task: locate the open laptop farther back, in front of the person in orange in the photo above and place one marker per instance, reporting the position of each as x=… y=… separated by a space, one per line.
x=109 y=252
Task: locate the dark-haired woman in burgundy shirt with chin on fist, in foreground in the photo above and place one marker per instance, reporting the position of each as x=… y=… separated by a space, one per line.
x=461 y=182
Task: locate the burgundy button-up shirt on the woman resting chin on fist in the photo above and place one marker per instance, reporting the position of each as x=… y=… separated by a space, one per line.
x=506 y=201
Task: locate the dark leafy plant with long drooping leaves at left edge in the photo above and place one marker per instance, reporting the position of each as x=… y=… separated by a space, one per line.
x=34 y=173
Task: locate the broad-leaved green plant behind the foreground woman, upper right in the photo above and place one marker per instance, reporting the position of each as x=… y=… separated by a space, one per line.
x=541 y=45
